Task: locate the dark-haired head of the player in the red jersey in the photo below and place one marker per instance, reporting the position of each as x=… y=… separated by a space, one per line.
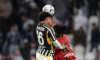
x=60 y=30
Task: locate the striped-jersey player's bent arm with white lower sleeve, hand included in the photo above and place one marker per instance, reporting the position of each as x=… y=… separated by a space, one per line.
x=54 y=41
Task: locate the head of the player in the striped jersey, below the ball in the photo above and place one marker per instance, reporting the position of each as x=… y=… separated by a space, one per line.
x=45 y=18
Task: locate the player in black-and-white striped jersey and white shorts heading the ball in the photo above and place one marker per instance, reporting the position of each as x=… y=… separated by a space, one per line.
x=46 y=38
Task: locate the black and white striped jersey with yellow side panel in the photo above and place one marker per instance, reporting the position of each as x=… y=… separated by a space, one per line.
x=46 y=36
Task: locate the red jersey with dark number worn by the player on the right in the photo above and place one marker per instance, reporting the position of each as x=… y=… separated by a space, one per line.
x=65 y=54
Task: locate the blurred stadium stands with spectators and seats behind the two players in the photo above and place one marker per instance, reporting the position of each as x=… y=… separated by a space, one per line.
x=18 y=20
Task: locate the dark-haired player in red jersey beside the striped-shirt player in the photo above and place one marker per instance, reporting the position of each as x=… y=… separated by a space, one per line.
x=67 y=53
